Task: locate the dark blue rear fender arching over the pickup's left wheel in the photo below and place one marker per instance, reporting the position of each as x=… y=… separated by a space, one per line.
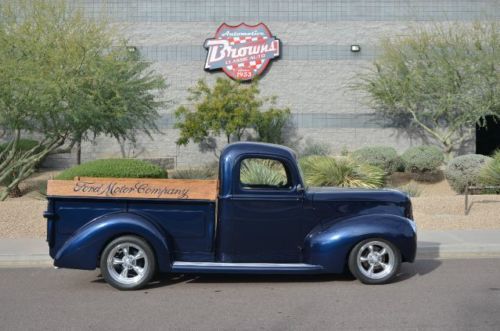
x=82 y=250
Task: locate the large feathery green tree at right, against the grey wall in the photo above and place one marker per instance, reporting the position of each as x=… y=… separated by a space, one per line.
x=441 y=80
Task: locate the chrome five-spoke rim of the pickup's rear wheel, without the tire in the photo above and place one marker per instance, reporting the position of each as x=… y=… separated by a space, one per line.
x=127 y=263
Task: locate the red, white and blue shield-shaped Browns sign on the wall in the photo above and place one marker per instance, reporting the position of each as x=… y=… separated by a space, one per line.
x=243 y=51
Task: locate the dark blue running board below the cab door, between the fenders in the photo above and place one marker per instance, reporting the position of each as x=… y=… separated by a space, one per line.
x=257 y=268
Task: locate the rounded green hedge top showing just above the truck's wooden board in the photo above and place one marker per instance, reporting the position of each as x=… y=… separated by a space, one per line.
x=116 y=168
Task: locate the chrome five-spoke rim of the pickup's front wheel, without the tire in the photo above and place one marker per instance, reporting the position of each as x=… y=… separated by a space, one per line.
x=376 y=259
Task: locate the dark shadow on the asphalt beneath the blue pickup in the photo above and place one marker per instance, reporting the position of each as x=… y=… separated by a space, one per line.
x=419 y=268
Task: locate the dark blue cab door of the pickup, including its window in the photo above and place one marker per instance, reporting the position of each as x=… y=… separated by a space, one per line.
x=261 y=221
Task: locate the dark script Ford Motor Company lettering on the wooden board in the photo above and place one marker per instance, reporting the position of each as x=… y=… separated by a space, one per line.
x=113 y=188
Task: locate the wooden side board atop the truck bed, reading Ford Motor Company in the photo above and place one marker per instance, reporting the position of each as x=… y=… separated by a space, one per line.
x=149 y=188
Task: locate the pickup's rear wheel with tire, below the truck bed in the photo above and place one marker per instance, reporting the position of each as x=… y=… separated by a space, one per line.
x=128 y=263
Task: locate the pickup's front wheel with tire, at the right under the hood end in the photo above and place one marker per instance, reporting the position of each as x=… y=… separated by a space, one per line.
x=374 y=261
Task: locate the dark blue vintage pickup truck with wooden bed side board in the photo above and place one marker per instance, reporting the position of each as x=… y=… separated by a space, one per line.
x=133 y=228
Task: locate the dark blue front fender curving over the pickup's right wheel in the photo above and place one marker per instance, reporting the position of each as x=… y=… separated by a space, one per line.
x=329 y=244
